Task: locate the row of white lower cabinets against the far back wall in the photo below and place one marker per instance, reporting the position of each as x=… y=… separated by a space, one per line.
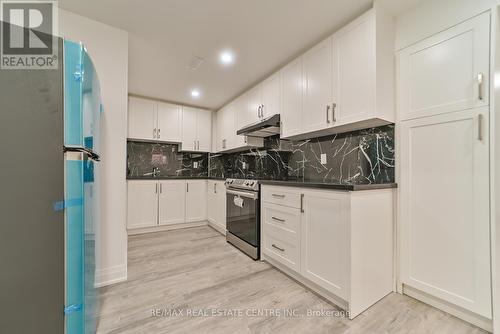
x=159 y=203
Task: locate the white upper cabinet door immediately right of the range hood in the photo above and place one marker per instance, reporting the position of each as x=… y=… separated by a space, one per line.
x=293 y=86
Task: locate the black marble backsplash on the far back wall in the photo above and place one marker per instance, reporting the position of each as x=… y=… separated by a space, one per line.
x=142 y=157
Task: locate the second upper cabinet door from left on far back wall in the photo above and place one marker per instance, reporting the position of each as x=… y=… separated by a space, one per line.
x=169 y=122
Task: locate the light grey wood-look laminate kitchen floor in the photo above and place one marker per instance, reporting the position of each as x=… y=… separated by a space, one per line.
x=194 y=268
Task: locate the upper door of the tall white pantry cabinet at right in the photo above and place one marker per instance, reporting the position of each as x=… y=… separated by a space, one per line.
x=441 y=74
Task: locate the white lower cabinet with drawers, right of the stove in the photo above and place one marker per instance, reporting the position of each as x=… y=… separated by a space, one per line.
x=338 y=243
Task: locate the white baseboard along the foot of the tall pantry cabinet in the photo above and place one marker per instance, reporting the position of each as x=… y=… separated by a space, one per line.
x=475 y=319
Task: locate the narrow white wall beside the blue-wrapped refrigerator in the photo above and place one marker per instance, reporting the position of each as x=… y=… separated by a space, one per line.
x=108 y=48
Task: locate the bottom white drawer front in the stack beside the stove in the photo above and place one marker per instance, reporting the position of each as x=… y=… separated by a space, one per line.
x=282 y=246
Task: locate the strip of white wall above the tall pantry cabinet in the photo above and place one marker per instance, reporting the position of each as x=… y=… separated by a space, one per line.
x=433 y=16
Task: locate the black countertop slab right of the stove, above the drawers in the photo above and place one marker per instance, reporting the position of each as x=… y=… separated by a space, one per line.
x=332 y=186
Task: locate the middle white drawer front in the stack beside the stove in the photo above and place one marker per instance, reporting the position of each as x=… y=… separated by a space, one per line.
x=285 y=218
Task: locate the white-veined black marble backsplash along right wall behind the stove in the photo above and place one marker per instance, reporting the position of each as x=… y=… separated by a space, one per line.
x=360 y=157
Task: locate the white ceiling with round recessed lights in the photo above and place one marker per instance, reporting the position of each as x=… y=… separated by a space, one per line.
x=165 y=35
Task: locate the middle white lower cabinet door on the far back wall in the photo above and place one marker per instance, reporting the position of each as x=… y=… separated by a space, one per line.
x=172 y=202
